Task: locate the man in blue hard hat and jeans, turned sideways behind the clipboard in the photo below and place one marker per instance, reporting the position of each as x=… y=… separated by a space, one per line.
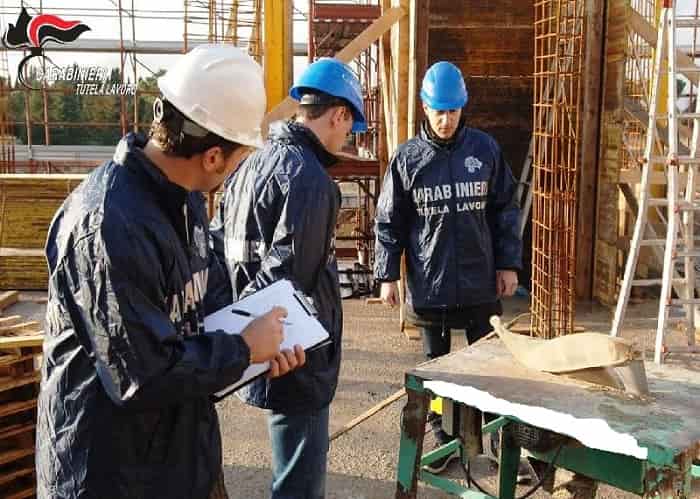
x=277 y=220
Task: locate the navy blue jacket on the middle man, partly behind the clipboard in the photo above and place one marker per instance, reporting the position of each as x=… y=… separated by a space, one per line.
x=277 y=221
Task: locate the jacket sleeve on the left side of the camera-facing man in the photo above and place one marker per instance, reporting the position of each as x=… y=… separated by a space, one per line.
x=390 y=225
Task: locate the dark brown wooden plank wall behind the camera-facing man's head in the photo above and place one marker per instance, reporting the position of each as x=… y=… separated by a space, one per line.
x=492 y=43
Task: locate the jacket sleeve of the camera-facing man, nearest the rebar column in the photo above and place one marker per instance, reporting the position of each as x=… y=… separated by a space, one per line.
x=503 y=213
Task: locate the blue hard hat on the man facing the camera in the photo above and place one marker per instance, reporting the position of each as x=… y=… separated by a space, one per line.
x=443 y=87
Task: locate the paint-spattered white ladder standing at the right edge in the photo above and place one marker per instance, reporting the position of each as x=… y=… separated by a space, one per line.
x=681 y=202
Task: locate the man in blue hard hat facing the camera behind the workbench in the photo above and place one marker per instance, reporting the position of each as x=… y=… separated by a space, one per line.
x=448 y=202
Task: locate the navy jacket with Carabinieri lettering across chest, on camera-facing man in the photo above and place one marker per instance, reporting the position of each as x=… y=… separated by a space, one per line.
x=451 y=208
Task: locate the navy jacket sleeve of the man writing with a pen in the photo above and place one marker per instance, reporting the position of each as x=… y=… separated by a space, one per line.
x=114 y=289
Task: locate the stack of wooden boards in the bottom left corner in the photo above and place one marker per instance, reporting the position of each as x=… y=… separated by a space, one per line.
x=20 y=358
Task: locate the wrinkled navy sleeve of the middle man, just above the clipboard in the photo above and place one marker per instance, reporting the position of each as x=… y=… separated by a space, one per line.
x=303 y=213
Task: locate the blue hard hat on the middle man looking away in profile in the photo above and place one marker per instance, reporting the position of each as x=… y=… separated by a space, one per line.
x=333 y=78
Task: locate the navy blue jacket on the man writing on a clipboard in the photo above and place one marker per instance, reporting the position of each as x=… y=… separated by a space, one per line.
x=125 y=408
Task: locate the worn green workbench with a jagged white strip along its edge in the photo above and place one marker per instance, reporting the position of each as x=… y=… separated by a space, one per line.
x=644 y=445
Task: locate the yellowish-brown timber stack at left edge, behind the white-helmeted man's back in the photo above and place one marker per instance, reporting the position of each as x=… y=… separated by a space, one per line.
x=27 y=205
